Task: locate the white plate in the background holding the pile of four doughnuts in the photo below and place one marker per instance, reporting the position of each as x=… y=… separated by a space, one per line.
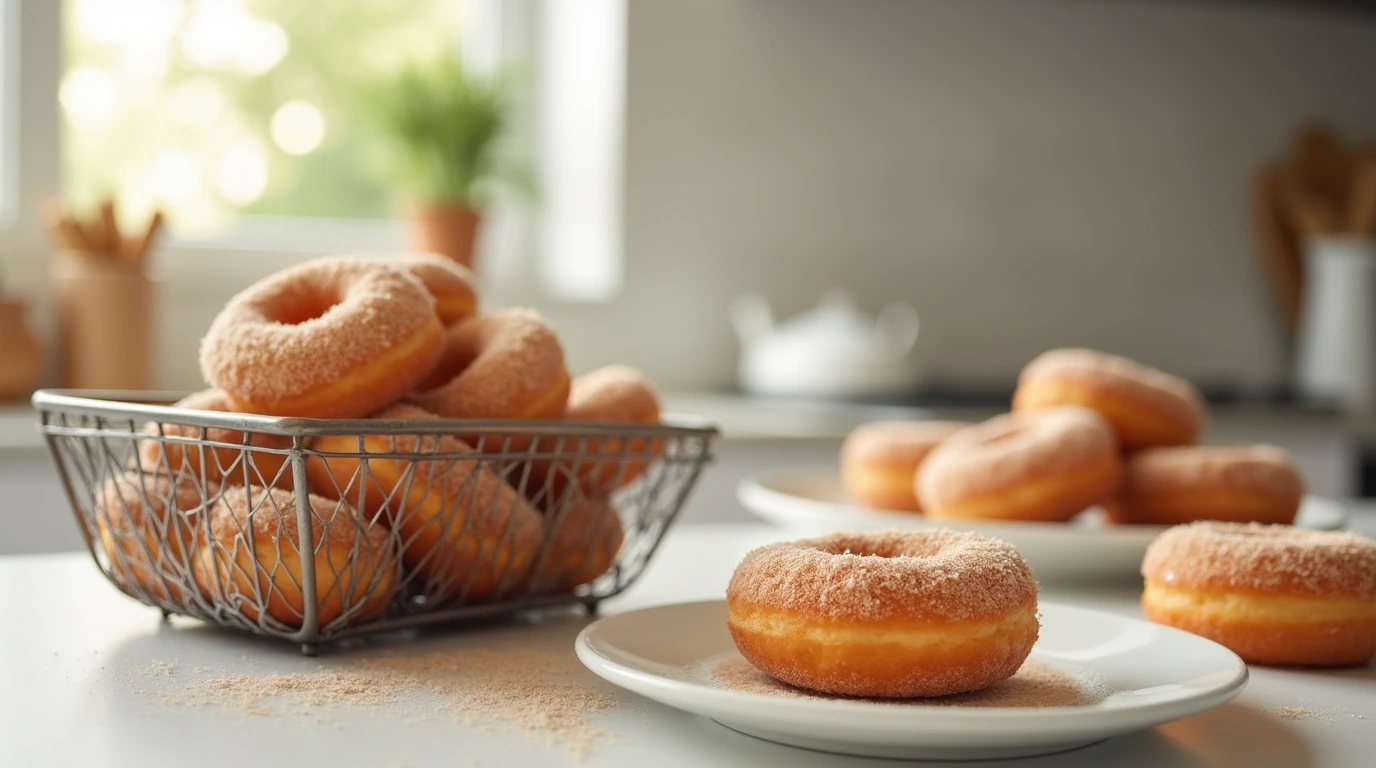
x=813 y=502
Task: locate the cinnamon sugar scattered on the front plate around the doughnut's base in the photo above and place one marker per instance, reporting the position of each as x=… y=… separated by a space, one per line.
x=1035 y=686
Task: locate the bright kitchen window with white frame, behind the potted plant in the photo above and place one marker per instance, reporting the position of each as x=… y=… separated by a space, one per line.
x=235 y=116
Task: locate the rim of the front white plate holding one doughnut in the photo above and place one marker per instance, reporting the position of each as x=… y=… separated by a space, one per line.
x=949 y=718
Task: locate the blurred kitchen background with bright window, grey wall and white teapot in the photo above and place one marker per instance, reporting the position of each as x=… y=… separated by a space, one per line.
x=963 y=185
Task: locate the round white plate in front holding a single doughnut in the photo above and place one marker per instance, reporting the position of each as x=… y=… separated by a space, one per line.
x=1152 y=674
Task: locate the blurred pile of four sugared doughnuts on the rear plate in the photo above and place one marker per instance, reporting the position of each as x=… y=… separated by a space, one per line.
x=1088 y=429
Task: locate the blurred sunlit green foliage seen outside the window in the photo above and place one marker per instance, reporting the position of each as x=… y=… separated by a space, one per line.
x=335 y=47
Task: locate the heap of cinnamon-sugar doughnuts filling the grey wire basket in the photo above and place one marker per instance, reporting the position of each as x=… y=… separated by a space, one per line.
x=378 y=339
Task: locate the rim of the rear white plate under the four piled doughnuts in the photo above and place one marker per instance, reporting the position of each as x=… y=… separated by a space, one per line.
x=753 y=492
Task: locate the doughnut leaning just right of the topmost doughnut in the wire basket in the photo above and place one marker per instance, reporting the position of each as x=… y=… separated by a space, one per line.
x=506 y=365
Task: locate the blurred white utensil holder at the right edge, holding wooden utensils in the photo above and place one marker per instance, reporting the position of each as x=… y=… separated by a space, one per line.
x=1335 y=357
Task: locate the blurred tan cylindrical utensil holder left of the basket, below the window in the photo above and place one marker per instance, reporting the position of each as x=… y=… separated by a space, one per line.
x=105 y=320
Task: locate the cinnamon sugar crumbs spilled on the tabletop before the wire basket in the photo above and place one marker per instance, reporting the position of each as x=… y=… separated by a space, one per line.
x=529 y=690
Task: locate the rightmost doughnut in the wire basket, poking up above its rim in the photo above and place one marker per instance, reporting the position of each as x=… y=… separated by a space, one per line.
x=616 y=394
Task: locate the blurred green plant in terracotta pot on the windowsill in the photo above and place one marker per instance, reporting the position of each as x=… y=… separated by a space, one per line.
x=445 y=130
